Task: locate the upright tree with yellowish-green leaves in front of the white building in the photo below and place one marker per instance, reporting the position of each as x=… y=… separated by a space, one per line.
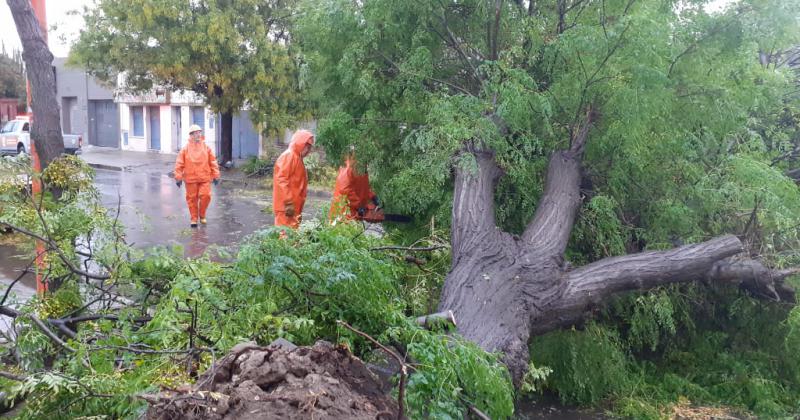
x=233 y=53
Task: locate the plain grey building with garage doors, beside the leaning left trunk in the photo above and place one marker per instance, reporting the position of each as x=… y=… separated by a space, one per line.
x=87 y=107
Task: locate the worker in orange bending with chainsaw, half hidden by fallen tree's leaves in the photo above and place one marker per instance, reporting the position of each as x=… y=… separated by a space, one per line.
x=352 y=196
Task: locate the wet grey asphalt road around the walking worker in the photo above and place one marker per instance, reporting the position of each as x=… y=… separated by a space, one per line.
x=153 y=211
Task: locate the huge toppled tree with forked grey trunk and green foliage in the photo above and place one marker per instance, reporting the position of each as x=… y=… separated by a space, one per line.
x=512 y=120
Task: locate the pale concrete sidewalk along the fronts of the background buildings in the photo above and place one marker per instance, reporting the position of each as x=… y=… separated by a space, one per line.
x=142 y=162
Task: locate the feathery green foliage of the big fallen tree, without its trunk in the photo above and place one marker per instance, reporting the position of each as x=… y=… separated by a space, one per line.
x=679 y=93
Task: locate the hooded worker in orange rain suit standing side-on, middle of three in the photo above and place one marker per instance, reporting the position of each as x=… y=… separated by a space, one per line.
x=290 y=182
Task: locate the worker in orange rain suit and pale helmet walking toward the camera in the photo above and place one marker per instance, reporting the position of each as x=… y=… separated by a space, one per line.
x=197 y=166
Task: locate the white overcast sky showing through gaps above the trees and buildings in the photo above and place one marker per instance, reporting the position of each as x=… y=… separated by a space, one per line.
x=64 y=27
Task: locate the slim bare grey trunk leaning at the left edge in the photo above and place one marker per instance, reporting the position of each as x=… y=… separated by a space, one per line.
x=46 y=126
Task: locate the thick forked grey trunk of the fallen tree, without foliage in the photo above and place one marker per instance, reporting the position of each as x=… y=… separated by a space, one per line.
x=502 y=288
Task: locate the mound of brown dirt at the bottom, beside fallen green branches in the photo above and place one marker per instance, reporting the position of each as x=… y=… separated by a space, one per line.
x=279 y=382
